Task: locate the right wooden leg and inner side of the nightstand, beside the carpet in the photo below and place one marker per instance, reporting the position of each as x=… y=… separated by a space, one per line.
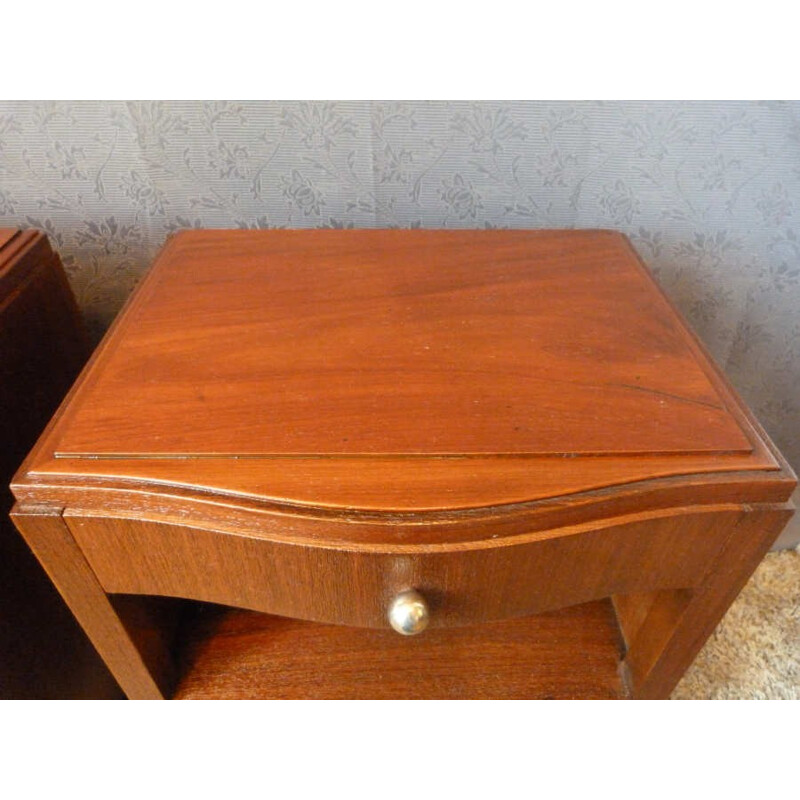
x=664 y=631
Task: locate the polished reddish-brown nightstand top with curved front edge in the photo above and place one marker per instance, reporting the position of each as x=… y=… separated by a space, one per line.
x=309 y=365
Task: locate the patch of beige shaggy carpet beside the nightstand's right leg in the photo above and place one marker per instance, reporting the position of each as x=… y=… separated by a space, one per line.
x=755 y=652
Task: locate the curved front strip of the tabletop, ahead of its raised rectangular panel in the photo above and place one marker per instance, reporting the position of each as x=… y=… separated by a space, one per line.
x=403 y=484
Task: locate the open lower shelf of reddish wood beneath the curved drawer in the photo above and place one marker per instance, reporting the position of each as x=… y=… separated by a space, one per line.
x=234 y=654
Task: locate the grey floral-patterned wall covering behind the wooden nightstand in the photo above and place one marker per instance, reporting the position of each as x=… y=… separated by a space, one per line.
x=709 y=193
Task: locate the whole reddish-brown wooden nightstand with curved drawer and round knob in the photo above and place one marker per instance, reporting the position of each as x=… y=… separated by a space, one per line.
x=515 y=425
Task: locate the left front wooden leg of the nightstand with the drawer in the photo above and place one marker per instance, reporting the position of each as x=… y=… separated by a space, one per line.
x=51 y=541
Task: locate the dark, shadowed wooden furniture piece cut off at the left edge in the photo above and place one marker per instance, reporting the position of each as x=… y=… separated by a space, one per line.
x=43 y=652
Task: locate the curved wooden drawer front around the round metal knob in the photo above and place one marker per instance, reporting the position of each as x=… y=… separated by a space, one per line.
x=462 y=584
